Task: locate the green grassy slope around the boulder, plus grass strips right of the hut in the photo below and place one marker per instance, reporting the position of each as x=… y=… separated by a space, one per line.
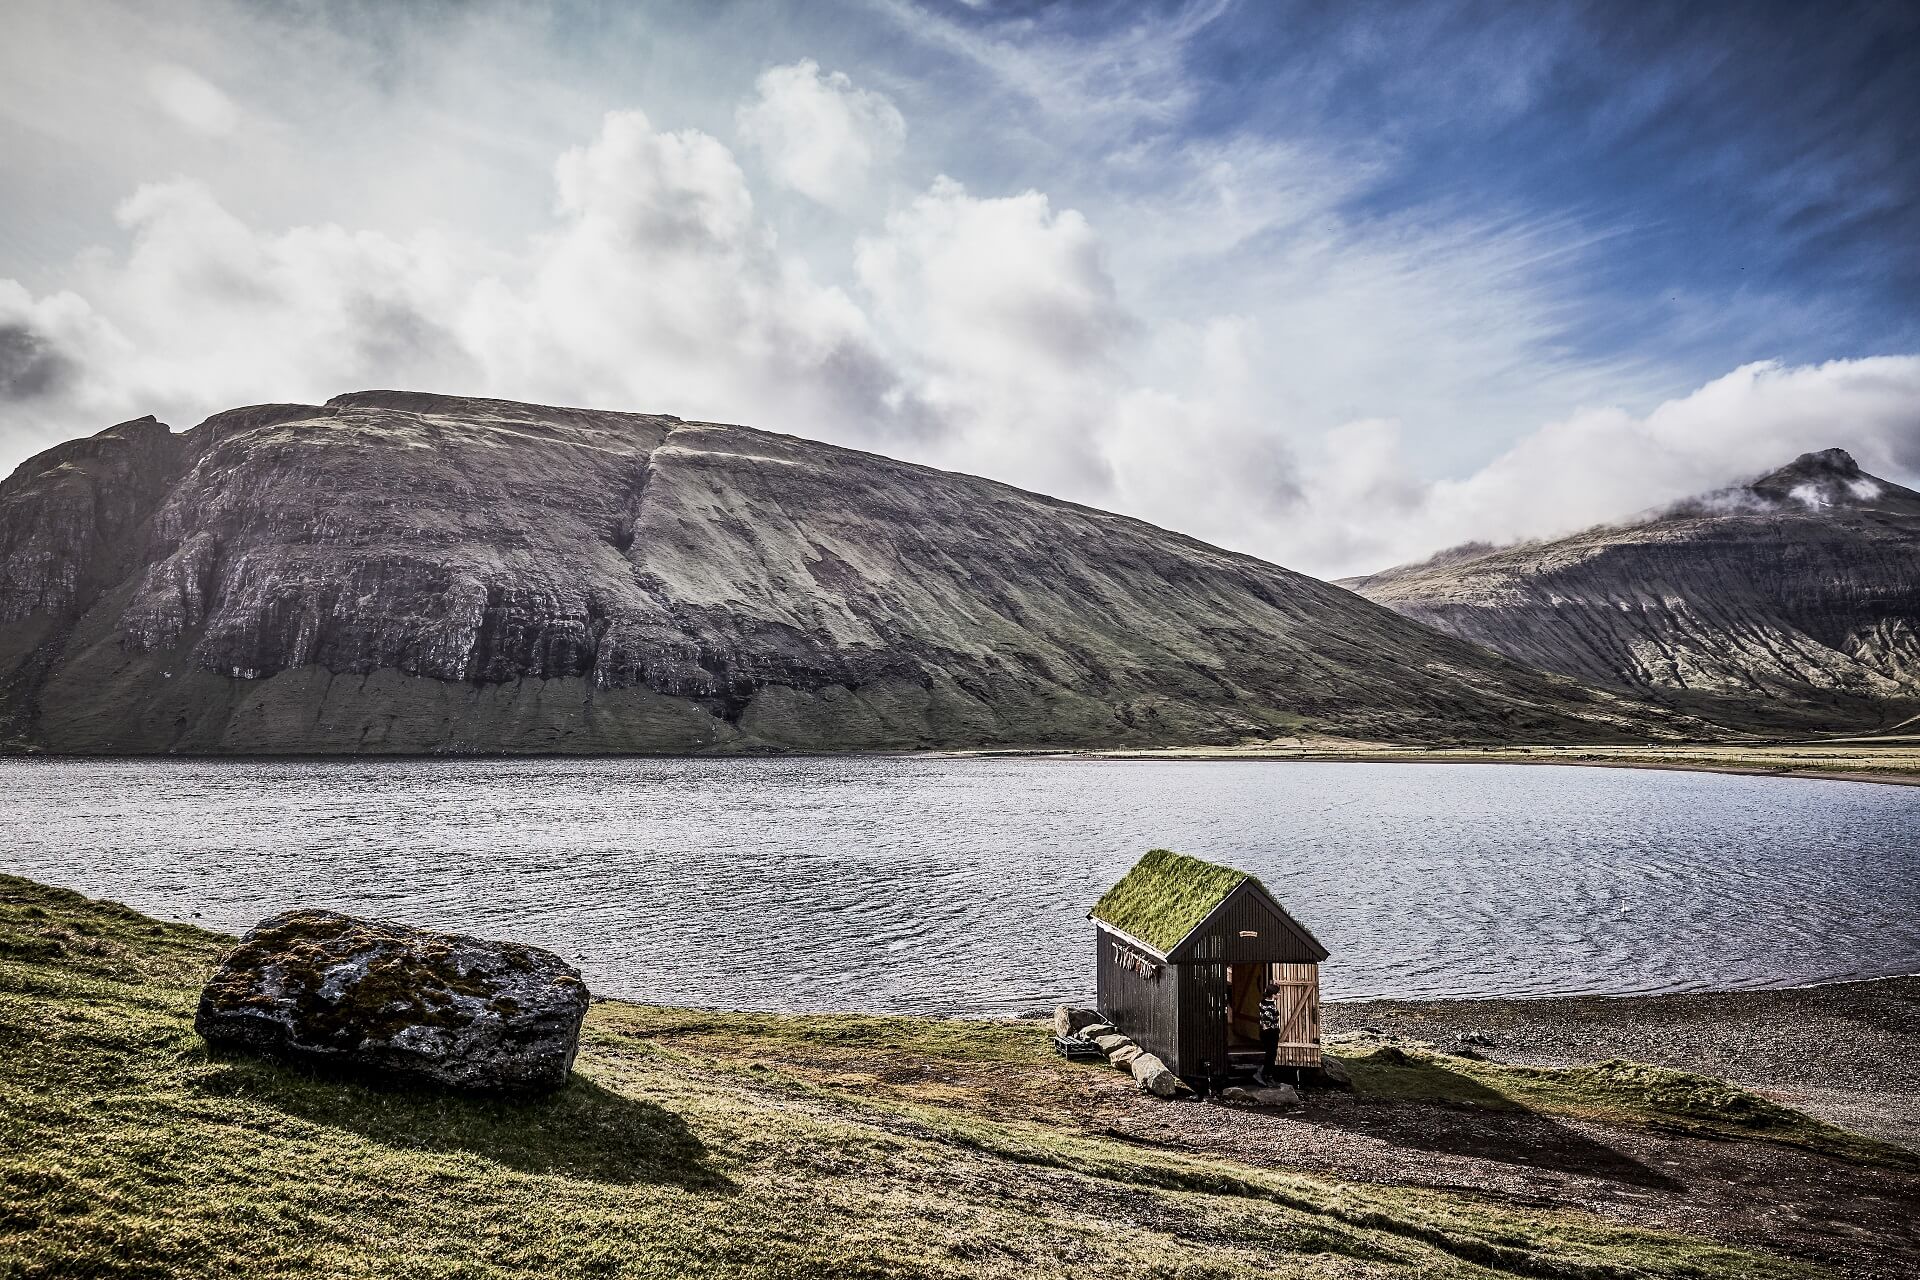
x=690 y=1145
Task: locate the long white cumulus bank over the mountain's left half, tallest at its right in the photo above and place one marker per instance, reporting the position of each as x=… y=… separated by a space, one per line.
x=656 y=287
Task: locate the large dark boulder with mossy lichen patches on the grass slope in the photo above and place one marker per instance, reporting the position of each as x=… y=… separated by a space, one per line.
x=396 y=1001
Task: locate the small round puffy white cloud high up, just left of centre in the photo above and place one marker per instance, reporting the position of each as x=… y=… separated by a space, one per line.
x=819 y=133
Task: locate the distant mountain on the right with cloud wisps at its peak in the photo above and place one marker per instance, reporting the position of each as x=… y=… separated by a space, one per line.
x=1785 y=605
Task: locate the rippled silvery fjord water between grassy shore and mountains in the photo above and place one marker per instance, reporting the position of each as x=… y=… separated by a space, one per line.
x=963 y=886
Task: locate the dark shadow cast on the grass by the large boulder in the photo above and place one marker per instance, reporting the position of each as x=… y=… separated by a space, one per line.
x=579 y=1131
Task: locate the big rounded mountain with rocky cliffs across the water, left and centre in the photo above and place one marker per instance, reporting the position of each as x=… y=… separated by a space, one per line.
x=400 y=573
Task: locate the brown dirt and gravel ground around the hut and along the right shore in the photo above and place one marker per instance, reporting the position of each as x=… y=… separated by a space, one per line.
x=1844 y=1053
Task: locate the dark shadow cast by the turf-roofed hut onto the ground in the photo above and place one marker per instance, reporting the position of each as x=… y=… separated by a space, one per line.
x=1451 y=1114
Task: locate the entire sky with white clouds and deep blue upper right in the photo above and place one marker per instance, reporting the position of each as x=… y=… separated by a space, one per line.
x=1332 y=285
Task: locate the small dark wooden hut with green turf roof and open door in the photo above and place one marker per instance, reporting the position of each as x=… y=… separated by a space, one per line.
x=1186 y=949
